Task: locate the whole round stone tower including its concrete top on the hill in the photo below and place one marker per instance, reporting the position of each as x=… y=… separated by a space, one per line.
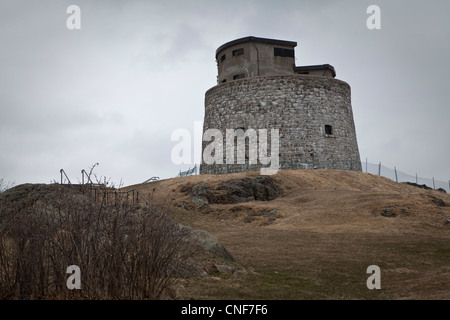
x=259 y=87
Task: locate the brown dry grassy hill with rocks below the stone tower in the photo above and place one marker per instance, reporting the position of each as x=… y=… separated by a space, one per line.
x=317 y=237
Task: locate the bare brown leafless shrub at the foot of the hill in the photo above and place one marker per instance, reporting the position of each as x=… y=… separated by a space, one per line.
x=124 y=250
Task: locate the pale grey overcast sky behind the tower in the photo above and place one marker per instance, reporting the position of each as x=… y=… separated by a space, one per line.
x=115 y=90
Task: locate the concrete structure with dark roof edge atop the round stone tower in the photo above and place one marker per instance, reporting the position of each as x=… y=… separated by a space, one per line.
x=253 y=56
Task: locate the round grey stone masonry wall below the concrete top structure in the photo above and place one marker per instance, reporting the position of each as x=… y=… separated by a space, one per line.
x=299 y=106
